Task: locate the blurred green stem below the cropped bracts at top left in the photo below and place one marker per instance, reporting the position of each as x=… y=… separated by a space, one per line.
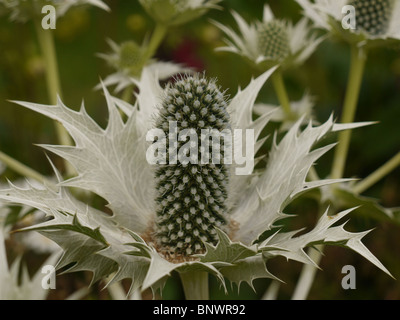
x=46 y=42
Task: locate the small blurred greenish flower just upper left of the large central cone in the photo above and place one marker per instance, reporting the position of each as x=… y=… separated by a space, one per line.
x=128 y=61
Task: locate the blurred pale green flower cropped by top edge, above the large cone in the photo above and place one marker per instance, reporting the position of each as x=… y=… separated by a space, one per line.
x=177 y=12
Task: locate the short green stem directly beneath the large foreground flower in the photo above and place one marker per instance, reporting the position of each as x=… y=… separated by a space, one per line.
x=195 y=285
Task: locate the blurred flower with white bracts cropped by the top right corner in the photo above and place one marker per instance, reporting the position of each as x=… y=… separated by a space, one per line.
x=369 y=22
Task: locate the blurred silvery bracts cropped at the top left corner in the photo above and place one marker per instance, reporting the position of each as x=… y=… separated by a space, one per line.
x=24 y=10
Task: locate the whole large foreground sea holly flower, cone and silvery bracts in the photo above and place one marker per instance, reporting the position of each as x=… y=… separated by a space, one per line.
x=194 y=219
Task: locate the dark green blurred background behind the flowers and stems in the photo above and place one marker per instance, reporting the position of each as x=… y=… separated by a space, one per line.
x=83 y=32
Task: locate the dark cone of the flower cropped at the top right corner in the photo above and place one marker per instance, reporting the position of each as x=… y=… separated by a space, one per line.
x=373 y=16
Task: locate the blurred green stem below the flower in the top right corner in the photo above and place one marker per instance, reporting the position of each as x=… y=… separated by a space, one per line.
x=358 y=60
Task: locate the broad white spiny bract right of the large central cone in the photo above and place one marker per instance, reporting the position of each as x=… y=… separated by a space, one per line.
x=284 y=178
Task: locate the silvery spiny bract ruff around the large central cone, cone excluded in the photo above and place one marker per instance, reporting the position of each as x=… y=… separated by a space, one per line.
x=111 y=162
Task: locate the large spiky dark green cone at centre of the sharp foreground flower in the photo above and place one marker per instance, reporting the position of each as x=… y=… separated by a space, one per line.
x=191 y=198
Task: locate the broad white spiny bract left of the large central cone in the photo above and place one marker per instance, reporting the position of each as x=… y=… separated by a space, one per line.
x=109 y=162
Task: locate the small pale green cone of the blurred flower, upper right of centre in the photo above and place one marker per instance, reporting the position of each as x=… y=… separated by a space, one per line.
x=273 y=40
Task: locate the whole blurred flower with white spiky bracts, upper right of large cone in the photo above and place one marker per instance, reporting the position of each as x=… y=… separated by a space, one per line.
x=271 y=40
